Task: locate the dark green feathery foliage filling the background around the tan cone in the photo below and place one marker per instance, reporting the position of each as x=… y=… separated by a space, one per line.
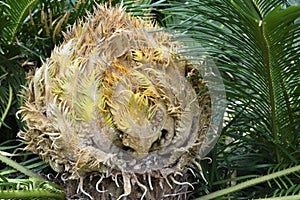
x=255 y=44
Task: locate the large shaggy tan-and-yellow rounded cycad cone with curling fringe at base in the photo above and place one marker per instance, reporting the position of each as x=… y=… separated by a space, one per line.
x=118 y=109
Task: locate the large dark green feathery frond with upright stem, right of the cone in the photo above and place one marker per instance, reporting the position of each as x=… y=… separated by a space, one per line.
x=257 y=45
